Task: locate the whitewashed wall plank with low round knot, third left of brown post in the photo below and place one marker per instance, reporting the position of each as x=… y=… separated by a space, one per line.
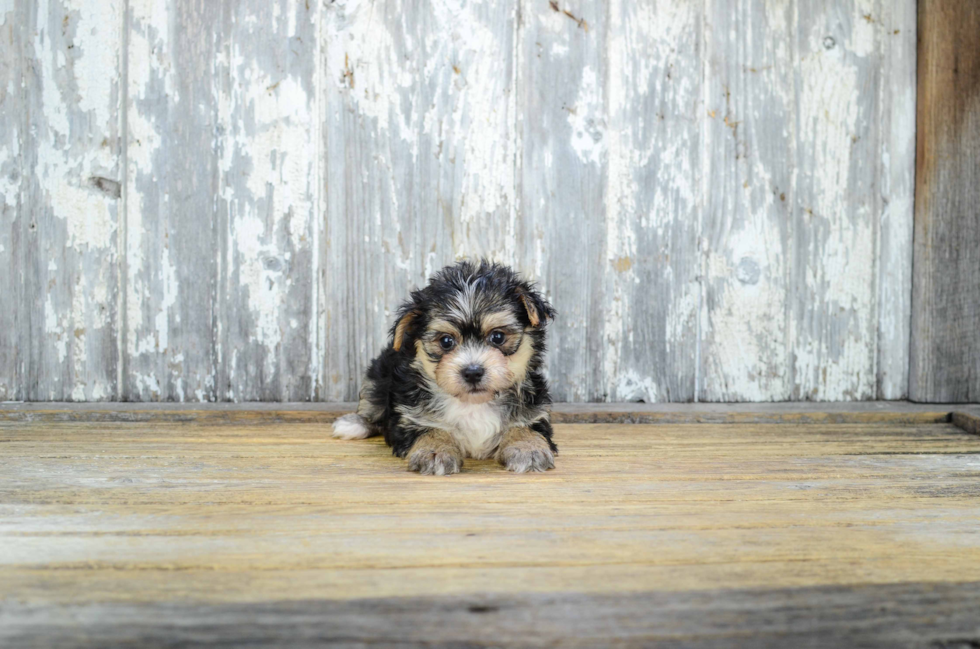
x=750 y=113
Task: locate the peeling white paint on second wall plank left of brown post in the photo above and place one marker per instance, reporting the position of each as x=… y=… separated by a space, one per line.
x=835 y=362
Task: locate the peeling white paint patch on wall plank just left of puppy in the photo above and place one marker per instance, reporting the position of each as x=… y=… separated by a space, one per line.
x=268 y=164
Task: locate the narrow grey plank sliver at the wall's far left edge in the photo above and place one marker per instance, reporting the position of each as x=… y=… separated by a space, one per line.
x=13 y=129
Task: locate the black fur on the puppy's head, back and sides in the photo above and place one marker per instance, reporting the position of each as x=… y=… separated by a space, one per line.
x=394 y=379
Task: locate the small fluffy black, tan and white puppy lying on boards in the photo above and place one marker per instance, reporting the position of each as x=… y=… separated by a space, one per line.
x=461 y=375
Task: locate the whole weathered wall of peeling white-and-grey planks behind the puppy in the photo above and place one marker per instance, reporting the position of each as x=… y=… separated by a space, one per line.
x=226 y=200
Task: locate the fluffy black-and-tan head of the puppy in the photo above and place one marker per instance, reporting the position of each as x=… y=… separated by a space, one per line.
x=475 y=330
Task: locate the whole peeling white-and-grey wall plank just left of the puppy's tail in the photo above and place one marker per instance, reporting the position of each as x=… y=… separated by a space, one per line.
x=267 y=152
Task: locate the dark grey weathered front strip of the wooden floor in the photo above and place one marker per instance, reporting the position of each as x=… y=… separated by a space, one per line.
x=889 y=616
